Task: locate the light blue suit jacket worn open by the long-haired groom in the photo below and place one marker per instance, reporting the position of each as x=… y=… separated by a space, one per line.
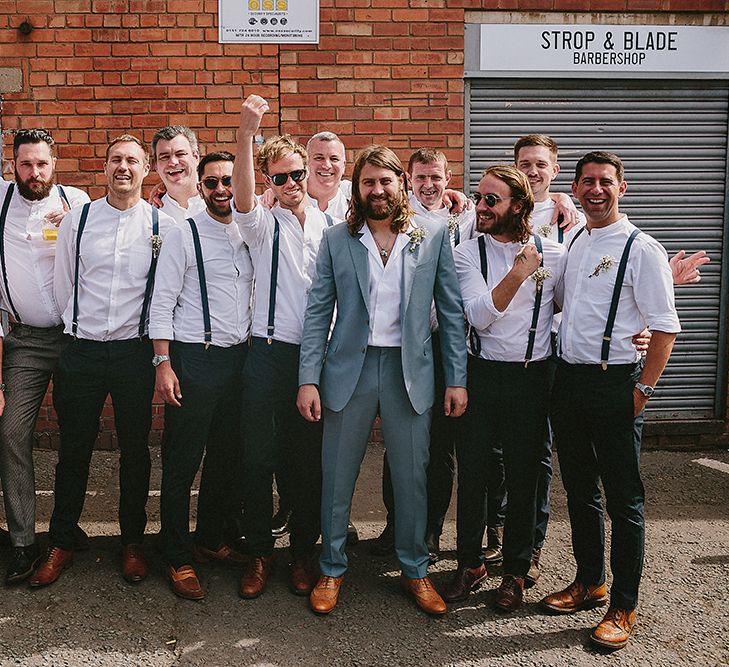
x=342 y=277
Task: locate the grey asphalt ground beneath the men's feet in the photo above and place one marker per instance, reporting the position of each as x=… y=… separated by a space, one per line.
x=91 y=616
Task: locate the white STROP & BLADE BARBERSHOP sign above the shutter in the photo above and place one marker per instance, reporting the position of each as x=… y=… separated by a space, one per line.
x=604 y=48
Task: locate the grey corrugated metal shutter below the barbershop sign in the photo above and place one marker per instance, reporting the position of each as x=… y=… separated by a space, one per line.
x=672 y=136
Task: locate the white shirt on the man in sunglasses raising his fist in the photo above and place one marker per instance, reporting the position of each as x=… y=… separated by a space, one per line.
x=296 y=266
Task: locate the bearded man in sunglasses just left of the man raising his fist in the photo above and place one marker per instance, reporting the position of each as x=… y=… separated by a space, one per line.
x=199 y=324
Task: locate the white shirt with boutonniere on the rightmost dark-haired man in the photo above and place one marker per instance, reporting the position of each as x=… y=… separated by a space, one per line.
x=646 y=298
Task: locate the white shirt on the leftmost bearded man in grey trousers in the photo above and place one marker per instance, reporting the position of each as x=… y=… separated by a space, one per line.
x=29 y=258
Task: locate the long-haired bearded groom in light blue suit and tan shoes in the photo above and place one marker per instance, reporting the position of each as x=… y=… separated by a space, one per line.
x=382 y=269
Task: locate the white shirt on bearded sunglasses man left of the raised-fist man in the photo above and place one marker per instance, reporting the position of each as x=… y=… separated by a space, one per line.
x=176 y=312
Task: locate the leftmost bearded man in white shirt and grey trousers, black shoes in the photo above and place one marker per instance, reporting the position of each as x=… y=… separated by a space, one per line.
x=32 y=208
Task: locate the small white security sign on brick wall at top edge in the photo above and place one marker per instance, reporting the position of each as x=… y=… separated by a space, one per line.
x=268 y=21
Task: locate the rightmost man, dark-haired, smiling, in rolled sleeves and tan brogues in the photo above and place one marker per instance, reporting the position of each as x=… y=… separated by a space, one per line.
x=617 y=282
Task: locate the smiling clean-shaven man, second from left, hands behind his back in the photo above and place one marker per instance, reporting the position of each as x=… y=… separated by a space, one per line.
x=107 y=253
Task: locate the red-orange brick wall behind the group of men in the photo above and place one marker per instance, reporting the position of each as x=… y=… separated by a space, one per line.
x=384 y=71
